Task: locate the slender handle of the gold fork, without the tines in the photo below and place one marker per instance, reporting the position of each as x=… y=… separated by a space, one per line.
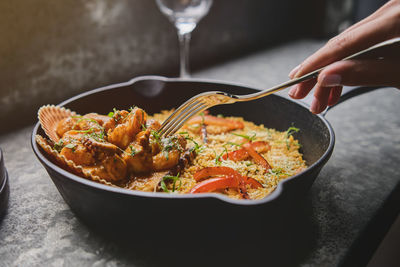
x=373 y=51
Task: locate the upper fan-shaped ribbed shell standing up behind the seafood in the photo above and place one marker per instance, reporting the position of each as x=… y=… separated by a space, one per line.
x=49 y=116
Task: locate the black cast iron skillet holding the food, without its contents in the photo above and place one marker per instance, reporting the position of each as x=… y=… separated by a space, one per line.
x=108 y=206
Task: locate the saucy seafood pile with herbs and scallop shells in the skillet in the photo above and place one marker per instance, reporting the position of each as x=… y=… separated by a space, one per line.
x=109 y=149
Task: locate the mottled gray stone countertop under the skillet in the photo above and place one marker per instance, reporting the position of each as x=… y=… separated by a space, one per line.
x=352 y=189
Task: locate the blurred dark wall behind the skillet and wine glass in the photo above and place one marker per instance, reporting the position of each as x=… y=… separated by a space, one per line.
x=51 y=50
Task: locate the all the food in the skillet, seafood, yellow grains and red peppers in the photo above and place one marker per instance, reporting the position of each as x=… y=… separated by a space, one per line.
x=226 y=155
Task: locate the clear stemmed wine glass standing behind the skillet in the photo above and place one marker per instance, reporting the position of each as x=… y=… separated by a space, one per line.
x=184 y=14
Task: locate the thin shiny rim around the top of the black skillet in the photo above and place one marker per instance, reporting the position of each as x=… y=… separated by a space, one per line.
x=274 y=195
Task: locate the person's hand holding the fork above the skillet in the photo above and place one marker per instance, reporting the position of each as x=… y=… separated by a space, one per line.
x=382 y=25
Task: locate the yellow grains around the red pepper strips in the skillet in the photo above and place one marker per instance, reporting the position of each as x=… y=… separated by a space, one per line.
x=284 y=156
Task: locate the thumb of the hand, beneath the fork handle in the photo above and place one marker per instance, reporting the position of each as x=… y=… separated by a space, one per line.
x=361 y=72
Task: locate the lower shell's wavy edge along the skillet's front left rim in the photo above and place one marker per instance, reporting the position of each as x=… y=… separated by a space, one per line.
x=69 y=164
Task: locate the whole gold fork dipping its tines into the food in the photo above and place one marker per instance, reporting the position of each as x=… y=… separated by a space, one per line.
x=207 y=100
